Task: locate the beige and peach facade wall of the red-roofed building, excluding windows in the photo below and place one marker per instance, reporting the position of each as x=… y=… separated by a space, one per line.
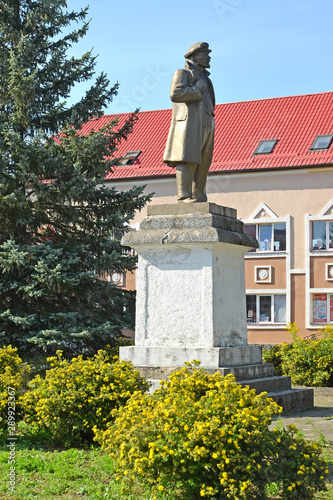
x=286 y=193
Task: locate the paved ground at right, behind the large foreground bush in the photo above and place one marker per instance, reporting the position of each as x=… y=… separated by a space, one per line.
x=317 y=422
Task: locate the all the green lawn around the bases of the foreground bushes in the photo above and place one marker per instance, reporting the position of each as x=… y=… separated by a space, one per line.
x=44 y=472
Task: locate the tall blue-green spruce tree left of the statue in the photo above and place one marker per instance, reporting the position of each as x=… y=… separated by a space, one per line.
x=56 y=216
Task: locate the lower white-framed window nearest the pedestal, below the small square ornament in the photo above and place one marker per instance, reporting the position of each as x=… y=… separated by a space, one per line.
x=266 y=309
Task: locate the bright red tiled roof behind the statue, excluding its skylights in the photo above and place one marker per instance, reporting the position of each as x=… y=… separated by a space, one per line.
x=295 y=121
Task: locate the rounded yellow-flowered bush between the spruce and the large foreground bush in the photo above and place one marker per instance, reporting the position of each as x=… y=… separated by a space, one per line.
x=79 y=394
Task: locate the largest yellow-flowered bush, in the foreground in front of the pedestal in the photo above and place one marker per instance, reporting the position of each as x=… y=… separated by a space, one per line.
x=203 y=435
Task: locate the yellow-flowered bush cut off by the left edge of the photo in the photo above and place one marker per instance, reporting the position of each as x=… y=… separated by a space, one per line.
x=13 y=378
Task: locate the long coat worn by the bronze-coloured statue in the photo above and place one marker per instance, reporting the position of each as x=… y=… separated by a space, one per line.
x=190 y=109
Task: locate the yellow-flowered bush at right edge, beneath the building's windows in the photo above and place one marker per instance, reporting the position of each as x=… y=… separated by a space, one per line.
x=308 y=361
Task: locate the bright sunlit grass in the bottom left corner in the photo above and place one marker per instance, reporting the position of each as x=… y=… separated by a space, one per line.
x=55 y=474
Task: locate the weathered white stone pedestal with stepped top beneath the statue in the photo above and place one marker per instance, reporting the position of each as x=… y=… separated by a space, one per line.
x=191 y=293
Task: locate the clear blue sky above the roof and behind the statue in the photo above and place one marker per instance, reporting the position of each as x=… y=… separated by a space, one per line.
x=260 y=48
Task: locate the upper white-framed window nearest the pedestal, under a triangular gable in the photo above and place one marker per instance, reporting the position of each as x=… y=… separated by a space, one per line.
x=271 y=237
